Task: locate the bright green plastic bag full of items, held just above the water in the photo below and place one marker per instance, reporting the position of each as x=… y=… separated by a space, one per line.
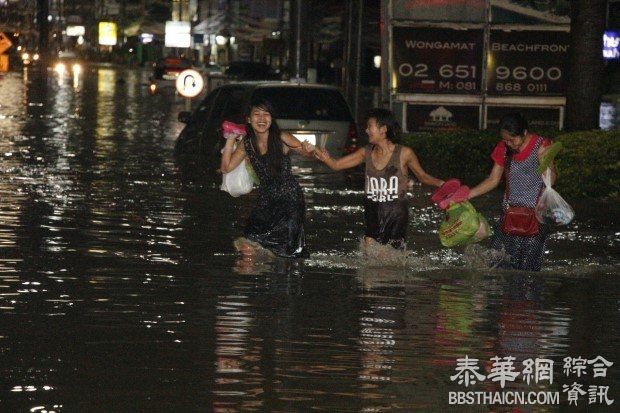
x=462 y=226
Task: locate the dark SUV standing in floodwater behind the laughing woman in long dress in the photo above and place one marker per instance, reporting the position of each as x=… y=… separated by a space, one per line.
x=316 y=113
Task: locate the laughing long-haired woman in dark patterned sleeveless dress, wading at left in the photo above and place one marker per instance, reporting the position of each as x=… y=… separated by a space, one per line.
x=277 y=221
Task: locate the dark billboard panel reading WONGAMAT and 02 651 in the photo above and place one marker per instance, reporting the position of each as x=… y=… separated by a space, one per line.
x=437 y=60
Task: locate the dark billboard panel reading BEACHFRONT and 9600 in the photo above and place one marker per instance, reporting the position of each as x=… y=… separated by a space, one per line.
x=527 y=63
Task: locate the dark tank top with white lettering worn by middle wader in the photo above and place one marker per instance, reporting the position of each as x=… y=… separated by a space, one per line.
x=387 y=184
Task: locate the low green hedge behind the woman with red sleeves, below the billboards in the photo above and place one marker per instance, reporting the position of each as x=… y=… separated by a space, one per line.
x=588 y=165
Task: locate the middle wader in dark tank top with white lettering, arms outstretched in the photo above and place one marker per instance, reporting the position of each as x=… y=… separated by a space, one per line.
x=387 y=163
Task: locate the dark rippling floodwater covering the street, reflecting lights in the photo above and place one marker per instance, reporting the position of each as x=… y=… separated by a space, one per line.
x=120 y=290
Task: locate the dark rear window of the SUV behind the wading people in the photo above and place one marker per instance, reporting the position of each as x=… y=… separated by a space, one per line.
x=306 y=103
